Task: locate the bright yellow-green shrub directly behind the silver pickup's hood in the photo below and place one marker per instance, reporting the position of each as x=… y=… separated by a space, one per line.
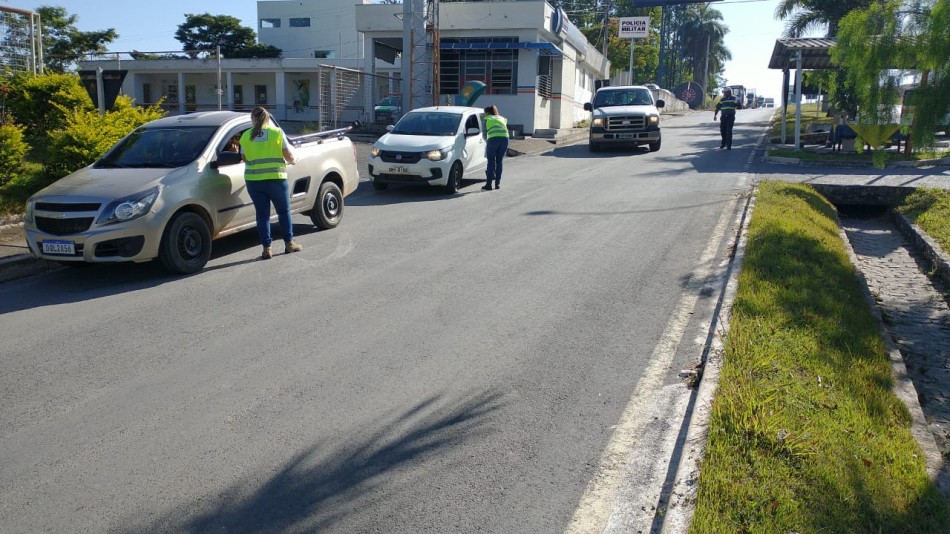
x=87 y=135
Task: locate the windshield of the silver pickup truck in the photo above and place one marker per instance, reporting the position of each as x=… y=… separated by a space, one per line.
x=158 y=148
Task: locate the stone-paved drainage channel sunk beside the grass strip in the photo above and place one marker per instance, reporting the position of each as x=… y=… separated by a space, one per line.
x=908 y=281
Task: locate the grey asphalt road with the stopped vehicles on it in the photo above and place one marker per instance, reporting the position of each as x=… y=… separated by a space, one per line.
x=500 y=362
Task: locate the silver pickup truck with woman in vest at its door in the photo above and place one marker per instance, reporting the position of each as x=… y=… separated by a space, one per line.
x=170 y=187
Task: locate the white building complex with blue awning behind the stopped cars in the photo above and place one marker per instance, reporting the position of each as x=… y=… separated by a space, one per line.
x=341 y=56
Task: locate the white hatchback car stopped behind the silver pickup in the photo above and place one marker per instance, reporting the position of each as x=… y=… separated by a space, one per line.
x=434 y=145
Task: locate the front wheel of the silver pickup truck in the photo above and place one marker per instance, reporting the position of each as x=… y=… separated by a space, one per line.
x=186 y=244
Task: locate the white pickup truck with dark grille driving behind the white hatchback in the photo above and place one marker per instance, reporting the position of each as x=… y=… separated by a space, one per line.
x=624 y=115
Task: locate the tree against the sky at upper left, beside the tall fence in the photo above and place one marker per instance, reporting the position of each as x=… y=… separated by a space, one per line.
x=64 y=44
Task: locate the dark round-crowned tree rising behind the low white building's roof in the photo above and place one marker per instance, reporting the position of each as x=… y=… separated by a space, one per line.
x=199 y=35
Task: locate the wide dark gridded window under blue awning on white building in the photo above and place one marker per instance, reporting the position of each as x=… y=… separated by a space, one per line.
x=496 y=68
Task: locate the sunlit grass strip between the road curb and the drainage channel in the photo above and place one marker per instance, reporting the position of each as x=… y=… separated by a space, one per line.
x=806 y=434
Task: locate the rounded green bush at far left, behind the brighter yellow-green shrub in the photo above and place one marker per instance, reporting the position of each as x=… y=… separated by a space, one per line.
x=39 y=102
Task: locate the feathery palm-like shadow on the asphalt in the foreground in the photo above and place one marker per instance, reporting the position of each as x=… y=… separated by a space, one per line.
x=318 y=488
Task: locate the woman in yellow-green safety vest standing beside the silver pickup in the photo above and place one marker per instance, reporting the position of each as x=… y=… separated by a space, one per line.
x=267 y=152
